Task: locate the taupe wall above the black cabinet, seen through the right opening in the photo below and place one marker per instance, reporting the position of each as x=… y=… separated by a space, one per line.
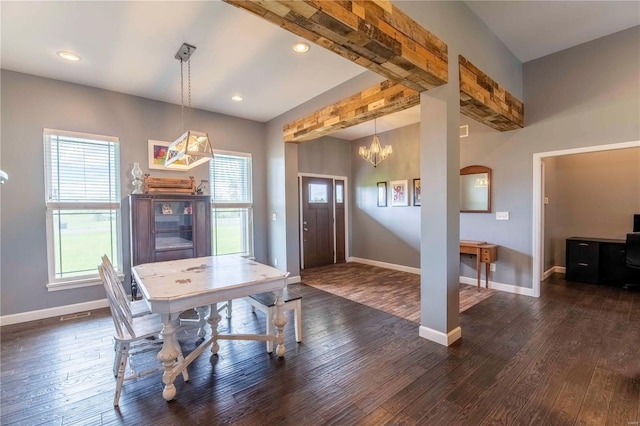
x=596 y=195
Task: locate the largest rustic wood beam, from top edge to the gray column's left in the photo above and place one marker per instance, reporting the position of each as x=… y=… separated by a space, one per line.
x=374 y=34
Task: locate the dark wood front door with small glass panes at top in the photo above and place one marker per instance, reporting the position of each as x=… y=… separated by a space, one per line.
x=317 y=221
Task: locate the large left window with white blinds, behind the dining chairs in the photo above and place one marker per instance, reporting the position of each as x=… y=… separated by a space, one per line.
x=82 y=178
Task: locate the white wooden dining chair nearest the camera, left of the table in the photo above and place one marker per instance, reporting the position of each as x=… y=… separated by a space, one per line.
x=132 y=336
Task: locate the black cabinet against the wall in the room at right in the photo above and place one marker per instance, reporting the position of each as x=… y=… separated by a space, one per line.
x=595 y=260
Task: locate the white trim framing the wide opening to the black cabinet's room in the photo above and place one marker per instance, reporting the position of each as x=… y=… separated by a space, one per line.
x=538 y=201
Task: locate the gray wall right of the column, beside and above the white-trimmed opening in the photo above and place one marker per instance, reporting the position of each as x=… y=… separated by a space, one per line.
x=583 y=96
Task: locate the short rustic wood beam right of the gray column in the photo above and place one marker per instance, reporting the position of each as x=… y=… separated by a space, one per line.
x=484 y=100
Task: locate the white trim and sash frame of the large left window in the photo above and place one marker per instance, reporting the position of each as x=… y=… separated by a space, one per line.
x=87 y=280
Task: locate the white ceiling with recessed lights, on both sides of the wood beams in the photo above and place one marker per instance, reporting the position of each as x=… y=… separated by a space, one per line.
x=129 y=47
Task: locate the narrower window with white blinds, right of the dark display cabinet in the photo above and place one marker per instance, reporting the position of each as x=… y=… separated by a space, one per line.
x=232 y=203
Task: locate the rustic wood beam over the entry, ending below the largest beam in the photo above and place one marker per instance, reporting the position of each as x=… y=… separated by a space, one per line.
x=376 y=101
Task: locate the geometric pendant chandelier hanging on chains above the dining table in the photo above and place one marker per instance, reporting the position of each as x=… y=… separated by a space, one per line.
x=192 y=148
